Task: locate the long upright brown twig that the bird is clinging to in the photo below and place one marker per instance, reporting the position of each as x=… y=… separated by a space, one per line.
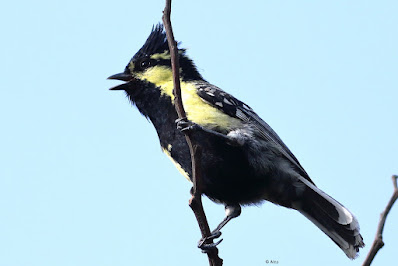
x=196 y=200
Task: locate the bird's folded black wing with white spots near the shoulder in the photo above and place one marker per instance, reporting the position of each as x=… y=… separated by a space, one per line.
x=235 y=108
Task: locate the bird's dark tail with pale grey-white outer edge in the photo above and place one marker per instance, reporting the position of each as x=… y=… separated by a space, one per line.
x=332 y=218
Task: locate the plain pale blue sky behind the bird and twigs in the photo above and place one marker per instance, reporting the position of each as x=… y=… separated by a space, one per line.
x=83 y=181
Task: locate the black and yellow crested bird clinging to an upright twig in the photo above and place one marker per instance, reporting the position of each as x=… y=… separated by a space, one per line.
x=244 y=162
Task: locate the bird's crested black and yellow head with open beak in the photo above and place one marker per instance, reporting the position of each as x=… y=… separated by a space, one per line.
x=151 y=65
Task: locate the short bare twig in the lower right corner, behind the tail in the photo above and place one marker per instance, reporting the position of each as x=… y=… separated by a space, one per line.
x=378 y=242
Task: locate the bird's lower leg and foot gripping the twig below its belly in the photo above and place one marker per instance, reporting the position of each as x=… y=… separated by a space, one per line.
x=231 y=211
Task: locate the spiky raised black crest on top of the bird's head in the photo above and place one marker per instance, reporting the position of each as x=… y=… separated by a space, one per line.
x=156 y=43
